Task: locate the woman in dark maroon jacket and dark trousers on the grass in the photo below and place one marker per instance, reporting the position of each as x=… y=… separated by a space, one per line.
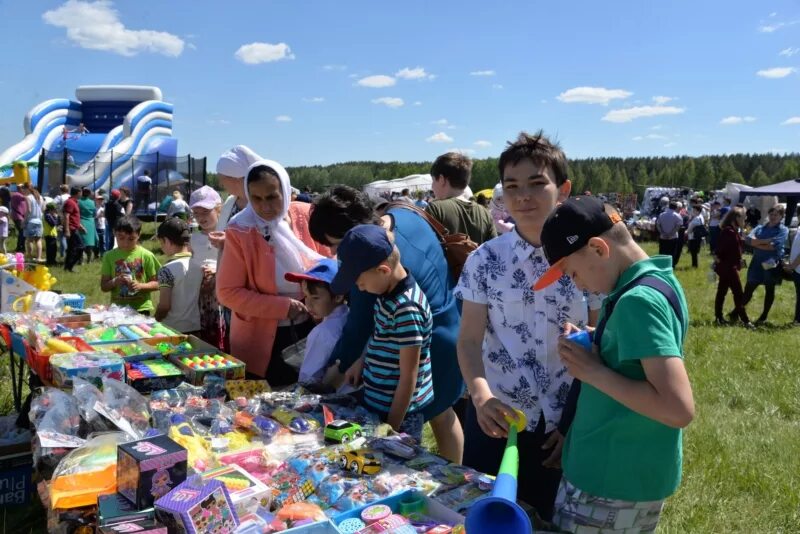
x=728 y=263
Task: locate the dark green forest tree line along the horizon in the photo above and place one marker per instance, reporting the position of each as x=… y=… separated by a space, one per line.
x=599 y=175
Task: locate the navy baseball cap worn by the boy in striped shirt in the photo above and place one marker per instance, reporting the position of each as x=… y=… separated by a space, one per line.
x=363 y=247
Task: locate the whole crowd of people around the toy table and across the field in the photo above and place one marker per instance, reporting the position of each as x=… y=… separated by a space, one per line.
x=372 y=303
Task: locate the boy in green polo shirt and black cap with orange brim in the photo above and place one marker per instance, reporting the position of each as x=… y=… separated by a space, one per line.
x=622 y=455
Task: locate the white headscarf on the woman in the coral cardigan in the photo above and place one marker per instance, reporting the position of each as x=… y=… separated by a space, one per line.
x=291 y=254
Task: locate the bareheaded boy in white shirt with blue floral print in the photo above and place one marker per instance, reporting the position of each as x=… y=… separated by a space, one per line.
x=508 y=342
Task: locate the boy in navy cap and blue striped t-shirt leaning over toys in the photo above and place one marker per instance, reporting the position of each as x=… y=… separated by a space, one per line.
x=396 y=369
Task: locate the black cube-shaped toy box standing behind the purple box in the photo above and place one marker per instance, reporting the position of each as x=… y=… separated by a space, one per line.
x=149 y=468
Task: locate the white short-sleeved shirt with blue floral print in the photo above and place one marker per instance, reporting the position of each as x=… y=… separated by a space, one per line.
x=520 y=346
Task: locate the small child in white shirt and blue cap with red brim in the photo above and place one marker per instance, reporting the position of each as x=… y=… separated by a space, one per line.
x=331 y=312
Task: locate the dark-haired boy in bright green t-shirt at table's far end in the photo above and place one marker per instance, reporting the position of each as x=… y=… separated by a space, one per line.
x=130 y=271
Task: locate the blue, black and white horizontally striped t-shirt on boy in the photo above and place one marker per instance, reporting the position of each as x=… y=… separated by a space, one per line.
x=403 y=318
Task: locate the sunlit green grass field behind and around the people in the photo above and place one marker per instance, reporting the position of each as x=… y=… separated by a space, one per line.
x=741 y=453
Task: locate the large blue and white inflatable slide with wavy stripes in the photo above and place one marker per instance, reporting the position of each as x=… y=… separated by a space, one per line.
x=121 y=123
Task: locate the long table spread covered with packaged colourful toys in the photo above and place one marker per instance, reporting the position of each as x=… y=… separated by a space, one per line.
x=207 y=446
